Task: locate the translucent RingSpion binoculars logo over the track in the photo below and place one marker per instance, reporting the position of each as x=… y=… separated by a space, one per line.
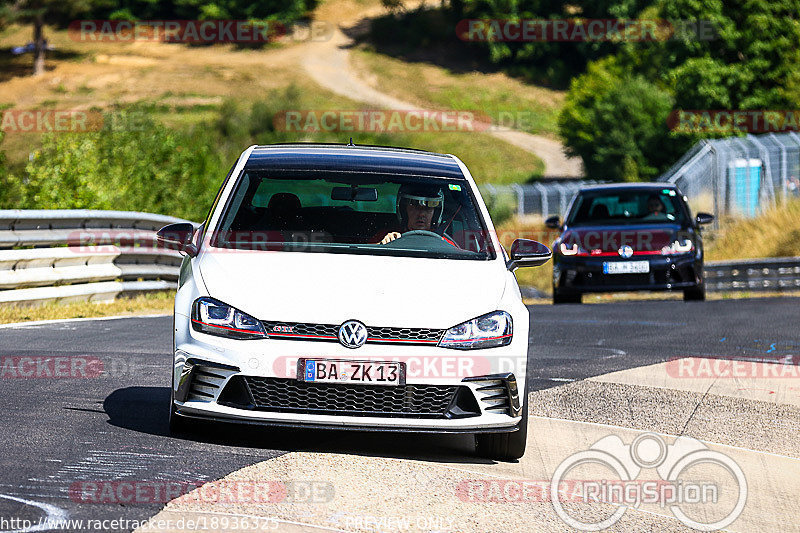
x=689 y=475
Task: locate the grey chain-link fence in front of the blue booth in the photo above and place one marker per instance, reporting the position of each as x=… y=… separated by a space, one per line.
x=739 y=176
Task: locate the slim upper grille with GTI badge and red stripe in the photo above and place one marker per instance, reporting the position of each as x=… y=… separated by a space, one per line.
x=329 y=333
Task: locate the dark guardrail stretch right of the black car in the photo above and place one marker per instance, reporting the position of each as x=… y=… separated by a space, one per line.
x=778 y=274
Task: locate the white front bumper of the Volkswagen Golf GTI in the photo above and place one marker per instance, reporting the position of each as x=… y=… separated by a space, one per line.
x=209 y=373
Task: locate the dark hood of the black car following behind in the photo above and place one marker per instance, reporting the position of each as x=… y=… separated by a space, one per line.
x=609 y=239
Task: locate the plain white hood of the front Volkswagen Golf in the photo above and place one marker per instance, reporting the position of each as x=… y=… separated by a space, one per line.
x=332 y=288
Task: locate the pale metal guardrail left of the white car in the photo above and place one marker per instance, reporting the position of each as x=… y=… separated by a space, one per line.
x=72 y=255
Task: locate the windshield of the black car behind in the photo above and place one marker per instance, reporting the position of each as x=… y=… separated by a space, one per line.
x=648 y=206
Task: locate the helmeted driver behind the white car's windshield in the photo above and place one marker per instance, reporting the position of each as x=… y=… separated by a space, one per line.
x=419 y=207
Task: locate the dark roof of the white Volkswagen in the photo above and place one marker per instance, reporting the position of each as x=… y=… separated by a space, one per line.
x=315 y=157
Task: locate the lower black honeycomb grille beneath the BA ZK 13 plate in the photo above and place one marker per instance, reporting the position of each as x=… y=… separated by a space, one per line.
x=411 y=401
